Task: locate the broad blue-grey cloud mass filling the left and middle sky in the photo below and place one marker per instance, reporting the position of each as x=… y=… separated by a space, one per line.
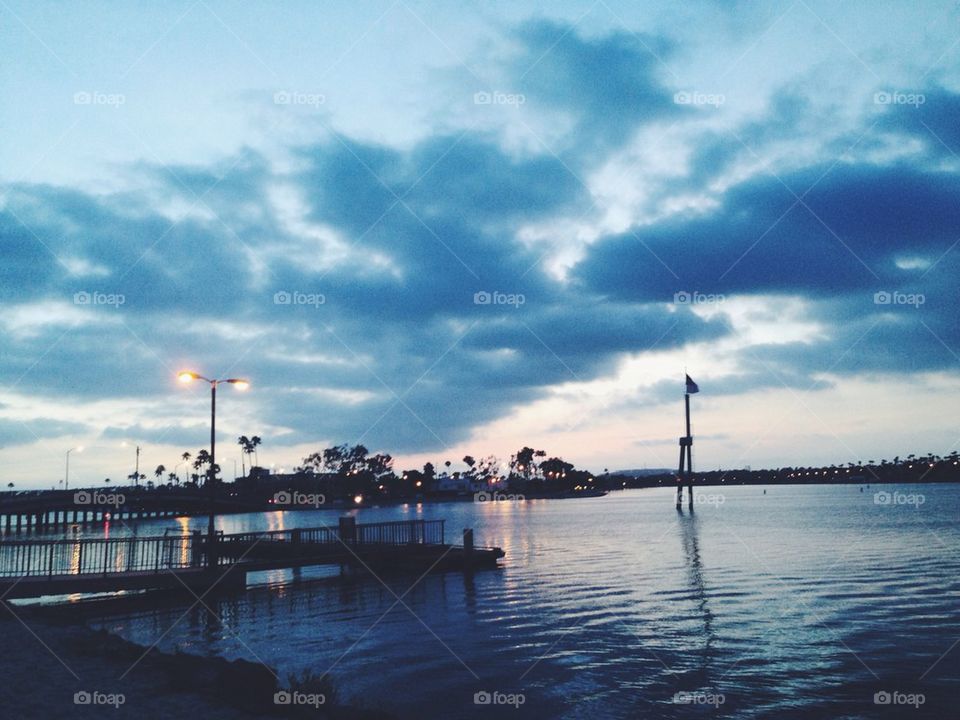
x=404 y=339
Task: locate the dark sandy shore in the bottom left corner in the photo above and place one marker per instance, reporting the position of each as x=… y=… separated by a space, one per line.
x=56 y=670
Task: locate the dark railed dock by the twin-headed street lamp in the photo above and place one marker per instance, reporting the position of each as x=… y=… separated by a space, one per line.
x=34 y=568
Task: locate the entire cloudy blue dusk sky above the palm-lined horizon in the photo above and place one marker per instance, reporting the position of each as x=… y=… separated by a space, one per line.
x=450 y=228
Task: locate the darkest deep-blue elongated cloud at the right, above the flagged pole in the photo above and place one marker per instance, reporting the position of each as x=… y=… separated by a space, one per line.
x=845 y=233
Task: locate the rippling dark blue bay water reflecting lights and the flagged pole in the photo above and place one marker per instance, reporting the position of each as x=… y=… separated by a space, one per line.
x=803 y=602
